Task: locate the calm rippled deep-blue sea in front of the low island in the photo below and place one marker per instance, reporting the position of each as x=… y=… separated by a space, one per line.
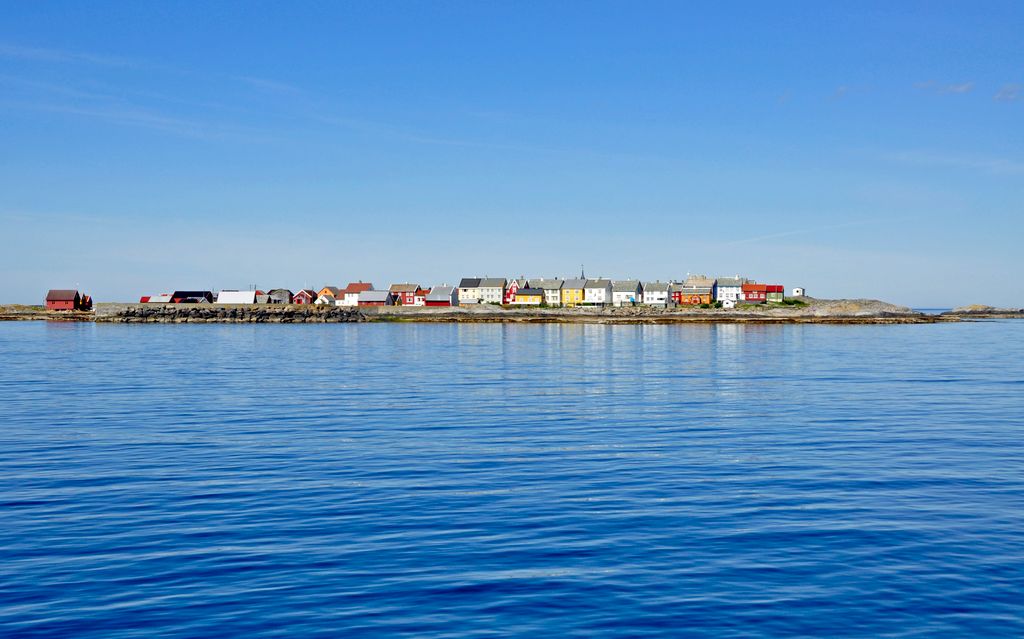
x=498 y=481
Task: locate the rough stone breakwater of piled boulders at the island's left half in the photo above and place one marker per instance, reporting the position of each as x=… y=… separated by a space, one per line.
x=206 y=314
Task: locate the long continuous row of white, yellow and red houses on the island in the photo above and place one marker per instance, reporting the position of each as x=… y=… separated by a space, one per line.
x=695 y=291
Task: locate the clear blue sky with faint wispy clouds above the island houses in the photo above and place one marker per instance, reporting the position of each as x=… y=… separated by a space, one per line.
x=860 y=150
